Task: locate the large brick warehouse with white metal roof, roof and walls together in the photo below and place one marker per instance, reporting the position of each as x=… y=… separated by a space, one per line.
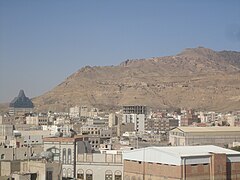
x=181 y=163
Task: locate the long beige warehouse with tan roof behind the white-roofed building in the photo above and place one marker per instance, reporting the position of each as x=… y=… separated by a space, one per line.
x=219 y=136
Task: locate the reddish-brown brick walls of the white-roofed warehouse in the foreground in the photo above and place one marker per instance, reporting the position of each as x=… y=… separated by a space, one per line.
x=216 y=170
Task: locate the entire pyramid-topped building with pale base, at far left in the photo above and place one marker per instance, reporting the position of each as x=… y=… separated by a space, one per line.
x=20 y=105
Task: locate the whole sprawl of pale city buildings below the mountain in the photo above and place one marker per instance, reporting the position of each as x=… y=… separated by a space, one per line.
x=133 y=143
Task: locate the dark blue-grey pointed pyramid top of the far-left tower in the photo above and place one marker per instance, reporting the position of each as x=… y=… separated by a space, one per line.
x=21 y=101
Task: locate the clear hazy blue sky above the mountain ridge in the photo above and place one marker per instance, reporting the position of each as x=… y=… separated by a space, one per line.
x=42 y=42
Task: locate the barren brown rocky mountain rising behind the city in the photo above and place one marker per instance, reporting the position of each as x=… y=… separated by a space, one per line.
x=197 y=78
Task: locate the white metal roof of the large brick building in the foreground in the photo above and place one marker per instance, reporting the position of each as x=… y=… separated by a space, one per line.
x=173 y=155
